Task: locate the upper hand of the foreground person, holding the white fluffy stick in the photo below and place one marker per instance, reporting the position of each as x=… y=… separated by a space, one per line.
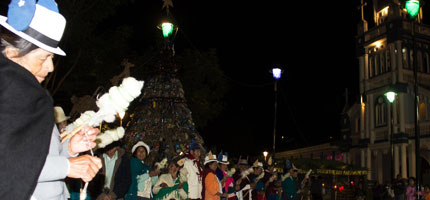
x=78 y=143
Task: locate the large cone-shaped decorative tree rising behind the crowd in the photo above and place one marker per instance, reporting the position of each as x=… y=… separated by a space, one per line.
x=162 y=118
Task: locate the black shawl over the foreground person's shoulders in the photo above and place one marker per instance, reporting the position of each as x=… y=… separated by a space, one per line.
x=26 y=124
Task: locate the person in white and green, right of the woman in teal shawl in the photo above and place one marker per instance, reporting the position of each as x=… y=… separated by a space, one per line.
x=170 y=185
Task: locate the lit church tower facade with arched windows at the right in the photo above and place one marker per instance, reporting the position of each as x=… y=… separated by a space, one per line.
x=377 y=134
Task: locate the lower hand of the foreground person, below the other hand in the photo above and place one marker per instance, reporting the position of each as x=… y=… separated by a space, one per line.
x=84 y=167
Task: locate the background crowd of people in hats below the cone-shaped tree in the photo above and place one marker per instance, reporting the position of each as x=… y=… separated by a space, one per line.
x=188 y=176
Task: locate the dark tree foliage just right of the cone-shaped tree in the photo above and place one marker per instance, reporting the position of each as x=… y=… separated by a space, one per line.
x=204 y=84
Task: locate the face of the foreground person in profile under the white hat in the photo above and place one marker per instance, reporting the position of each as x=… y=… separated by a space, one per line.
x=38 y=62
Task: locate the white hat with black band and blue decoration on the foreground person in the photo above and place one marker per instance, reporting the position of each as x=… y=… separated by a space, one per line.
x=40 y=24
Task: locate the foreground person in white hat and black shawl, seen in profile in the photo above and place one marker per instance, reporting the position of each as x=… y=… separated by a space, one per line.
x=33 y=161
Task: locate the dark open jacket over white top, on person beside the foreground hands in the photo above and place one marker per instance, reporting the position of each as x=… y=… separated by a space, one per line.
x=121 y=179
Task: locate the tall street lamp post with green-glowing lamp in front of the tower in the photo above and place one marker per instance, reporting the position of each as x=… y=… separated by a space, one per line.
x=412 y=8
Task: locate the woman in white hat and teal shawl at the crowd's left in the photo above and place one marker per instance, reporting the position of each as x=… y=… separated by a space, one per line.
x=141 y=174
